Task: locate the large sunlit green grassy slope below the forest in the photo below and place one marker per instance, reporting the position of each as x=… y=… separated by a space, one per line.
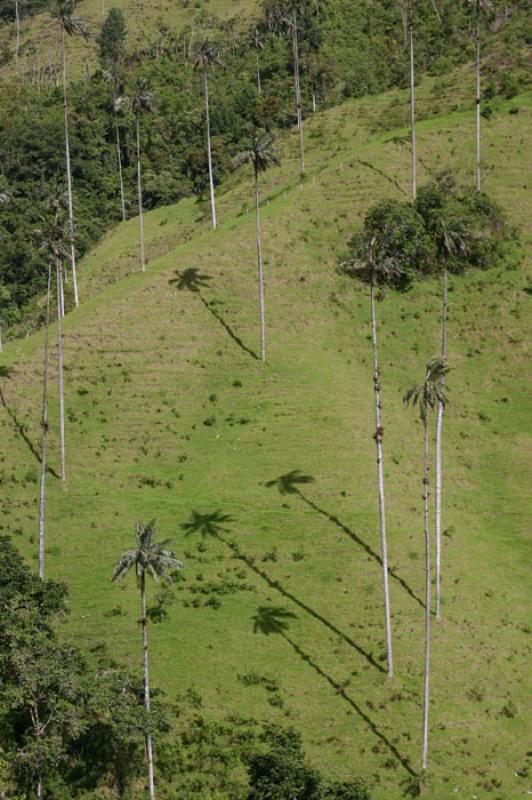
x=170 y=415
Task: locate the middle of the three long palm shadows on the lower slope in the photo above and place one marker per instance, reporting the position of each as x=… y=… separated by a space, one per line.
x=214 y=524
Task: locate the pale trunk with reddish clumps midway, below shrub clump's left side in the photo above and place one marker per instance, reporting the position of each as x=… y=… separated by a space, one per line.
x=380 y=476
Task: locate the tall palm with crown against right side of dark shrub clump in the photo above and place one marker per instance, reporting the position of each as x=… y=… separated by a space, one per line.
x=453 y=241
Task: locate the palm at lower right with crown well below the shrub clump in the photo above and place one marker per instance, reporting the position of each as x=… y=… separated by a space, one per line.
x=427 y=395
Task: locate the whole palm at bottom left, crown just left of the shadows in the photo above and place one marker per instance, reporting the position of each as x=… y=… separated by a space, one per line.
x=152 y=558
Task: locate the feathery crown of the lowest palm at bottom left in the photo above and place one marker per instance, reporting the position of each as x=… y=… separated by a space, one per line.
x=148 y=556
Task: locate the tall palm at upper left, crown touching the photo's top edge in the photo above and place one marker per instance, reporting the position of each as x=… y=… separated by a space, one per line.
x=63 y=12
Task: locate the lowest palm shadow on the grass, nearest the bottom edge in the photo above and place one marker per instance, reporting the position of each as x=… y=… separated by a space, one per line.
x=273 y=620
